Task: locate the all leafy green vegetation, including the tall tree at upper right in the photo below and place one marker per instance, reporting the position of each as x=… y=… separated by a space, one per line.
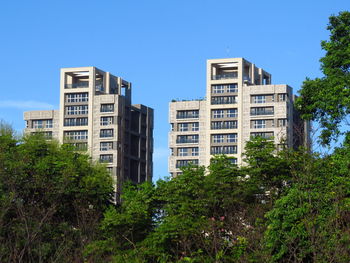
x=282 y=206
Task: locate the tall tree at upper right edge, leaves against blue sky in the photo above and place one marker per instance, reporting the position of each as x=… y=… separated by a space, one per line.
x=327 y=99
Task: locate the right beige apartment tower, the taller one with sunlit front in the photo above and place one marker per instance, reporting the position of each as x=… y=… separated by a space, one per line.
x=240 y=103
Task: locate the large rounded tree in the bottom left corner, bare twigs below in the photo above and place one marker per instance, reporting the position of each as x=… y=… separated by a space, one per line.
x=51 y=200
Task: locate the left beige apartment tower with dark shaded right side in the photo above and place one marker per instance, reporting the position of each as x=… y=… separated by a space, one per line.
x=96 y=116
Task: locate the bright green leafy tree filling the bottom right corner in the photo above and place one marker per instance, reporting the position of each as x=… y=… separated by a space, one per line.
x=309 y=223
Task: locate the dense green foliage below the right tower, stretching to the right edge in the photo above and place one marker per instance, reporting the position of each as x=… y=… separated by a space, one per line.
x=281 y=207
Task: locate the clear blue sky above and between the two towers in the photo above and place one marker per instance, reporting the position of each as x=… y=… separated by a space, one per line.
x=160 y=46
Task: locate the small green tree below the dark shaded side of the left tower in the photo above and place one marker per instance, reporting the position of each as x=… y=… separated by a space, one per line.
x=125 y=226
